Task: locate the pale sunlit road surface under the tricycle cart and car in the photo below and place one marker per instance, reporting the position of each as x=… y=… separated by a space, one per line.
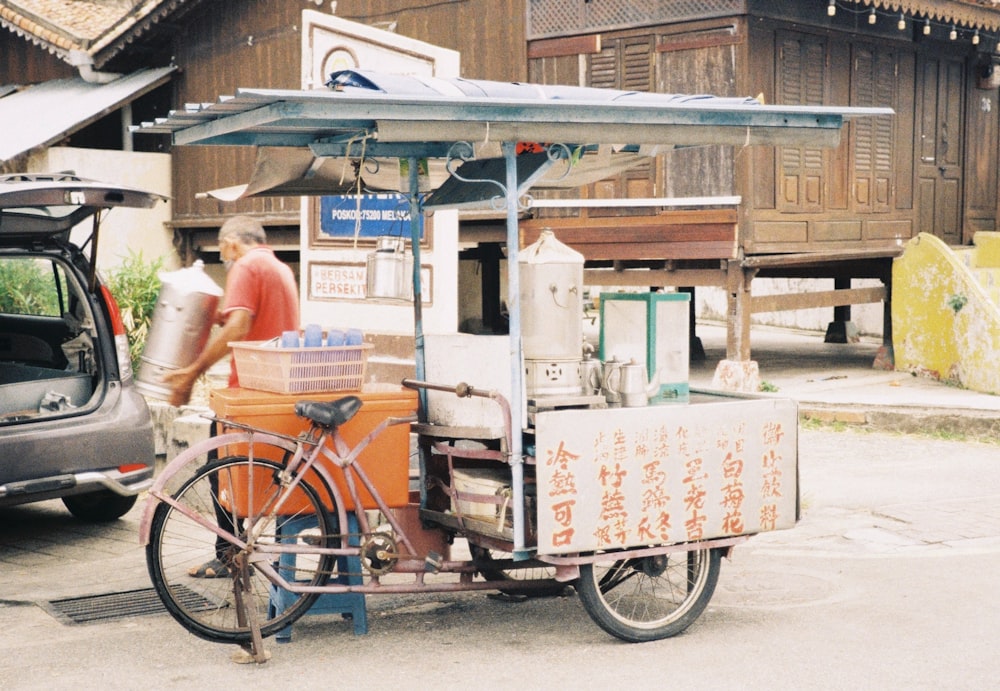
x=888 y=582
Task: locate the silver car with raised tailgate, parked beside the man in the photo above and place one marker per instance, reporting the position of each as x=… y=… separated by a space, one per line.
x=72 y=425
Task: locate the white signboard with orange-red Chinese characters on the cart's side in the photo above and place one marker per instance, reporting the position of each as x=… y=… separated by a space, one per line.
x=628 y=477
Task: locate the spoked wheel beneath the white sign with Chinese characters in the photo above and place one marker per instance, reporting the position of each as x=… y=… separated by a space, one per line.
x=649 y=598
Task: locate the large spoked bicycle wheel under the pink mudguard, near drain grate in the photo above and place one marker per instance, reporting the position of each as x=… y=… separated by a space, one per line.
x=238 y=495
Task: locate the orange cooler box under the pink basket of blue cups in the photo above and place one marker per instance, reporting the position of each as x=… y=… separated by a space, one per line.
x=386 y=460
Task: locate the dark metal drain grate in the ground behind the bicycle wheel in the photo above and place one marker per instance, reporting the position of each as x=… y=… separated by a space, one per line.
x=130 y=603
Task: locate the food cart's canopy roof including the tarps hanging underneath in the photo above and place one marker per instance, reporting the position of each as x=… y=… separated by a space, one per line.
x=345 y=138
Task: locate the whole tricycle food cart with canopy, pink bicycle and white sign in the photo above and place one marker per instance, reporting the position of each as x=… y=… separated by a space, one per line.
x=634 y=506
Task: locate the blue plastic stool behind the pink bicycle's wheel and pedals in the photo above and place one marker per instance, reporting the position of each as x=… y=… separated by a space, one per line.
x=351 y=605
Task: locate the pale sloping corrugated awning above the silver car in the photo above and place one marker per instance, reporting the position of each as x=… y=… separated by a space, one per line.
x=43 y=114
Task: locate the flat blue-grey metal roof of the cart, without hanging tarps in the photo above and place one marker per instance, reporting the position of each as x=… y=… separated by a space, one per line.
x=419 y=113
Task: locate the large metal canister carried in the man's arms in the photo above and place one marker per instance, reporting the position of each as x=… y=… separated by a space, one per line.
x=182 y=321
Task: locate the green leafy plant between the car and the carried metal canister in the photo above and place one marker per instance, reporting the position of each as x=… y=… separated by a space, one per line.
x=136 y=285
